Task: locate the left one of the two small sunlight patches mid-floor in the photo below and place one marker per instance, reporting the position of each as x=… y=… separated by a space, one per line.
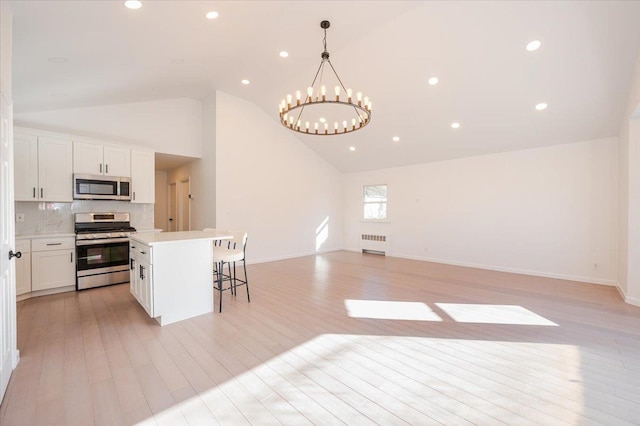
x=386 y=309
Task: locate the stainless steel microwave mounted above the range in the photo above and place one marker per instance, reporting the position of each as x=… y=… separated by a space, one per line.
x=97 y=187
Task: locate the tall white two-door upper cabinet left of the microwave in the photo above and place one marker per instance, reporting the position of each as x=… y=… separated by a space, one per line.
x=43 y=168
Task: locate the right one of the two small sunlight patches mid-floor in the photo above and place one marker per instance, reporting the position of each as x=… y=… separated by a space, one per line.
x=493 y=314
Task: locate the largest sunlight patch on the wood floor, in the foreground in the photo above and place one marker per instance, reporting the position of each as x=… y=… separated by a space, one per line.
x=422 y=380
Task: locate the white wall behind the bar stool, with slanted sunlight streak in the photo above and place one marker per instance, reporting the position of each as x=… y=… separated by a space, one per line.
x=273 y=186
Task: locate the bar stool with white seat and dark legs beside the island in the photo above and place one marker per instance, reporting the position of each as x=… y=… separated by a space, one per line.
x=234 y=251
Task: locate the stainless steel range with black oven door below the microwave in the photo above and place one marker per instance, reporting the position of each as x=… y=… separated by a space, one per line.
x=102 y=249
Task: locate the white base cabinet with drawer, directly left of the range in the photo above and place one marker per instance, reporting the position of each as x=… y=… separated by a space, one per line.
x=53 y=263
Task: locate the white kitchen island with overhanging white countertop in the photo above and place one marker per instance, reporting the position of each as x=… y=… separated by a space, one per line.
x=172 y=273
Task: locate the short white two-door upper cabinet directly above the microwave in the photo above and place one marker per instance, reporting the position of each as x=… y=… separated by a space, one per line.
x=99 y=159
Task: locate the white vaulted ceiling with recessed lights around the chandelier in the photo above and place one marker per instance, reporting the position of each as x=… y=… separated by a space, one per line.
x=487 y=81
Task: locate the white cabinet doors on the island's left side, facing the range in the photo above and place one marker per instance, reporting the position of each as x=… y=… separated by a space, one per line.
x=141 y=279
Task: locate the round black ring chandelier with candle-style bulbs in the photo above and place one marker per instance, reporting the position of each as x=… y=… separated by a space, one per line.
x=312 y=113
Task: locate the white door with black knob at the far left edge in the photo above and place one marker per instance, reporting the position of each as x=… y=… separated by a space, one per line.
x=8 y=348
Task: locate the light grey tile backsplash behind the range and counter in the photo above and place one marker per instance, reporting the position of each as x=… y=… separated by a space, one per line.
x=50 y=218
